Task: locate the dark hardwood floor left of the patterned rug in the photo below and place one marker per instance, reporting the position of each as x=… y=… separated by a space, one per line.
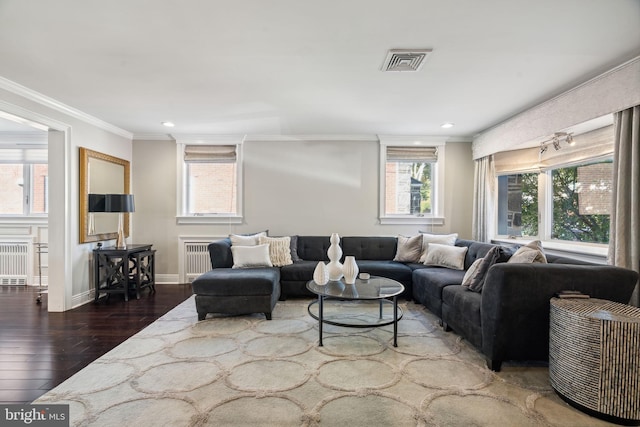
x=39 y=350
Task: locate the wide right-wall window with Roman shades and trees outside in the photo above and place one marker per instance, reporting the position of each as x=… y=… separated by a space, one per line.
x=558 y=192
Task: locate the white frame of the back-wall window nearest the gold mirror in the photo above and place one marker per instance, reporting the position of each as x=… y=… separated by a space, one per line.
x=182 y=217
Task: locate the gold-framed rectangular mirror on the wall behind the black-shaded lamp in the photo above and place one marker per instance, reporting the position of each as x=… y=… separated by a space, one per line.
x=101 y=174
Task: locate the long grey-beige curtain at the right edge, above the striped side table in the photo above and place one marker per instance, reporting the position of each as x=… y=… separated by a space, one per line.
x=624 y=240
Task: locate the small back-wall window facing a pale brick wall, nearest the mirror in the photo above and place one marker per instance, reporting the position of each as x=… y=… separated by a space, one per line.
x=210 y=185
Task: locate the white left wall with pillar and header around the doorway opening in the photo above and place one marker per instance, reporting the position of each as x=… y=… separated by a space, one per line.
x=69 y=261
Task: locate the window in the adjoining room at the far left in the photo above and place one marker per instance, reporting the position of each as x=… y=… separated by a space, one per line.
x=23 y=182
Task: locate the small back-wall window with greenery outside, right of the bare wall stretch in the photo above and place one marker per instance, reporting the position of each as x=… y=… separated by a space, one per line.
x=411 y=182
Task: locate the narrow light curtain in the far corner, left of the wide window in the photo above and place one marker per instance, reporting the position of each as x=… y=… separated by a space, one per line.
x=484 y=200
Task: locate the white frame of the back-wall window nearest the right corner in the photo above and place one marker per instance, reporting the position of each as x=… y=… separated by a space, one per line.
x=436 y=217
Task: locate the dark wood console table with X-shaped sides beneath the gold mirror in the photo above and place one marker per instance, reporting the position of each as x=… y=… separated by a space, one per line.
x=124 y=270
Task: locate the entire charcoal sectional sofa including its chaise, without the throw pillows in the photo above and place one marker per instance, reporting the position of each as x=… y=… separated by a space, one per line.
x=508 y=320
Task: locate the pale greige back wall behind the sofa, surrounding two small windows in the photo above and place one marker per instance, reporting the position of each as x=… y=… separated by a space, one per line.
x=290 y=187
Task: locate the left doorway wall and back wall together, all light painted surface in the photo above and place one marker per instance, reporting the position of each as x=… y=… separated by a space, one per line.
x=290 y=188
